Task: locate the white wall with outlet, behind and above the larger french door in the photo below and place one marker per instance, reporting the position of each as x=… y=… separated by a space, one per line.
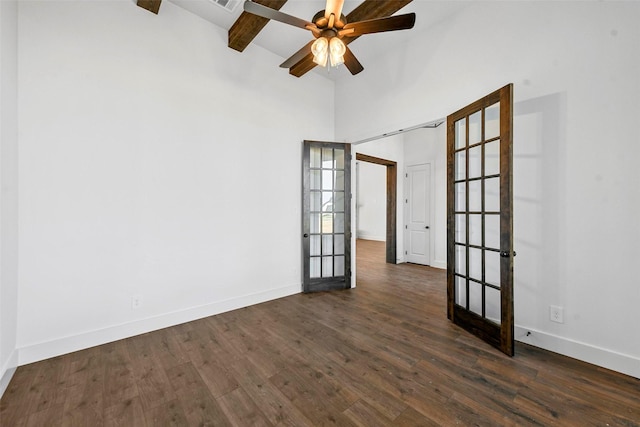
x=576 y=68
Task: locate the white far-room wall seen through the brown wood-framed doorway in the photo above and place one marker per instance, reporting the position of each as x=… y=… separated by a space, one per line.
x=372 y=201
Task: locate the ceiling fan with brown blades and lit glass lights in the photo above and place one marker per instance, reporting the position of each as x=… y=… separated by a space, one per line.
x=332 y=33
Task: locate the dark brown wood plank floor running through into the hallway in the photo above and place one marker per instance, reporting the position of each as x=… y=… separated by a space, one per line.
x=381 y=354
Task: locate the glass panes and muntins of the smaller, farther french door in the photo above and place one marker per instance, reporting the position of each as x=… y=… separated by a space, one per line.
x=327 y=212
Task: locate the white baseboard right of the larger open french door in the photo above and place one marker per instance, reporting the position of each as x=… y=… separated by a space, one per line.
x=605 y=358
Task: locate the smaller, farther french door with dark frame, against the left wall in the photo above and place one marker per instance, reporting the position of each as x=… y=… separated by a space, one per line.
x=326 y=216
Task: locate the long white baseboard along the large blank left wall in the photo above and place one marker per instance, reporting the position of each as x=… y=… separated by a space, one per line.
x=44 y=350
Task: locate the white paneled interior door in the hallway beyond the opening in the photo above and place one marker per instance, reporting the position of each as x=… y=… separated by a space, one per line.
x=417 y=214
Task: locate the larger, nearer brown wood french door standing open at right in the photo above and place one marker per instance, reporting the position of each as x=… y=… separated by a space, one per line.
x=480 y=219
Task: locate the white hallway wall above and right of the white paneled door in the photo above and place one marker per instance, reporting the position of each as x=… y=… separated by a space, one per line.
x=427 y=145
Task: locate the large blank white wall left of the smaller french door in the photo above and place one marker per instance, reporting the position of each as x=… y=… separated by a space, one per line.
x=154 y=162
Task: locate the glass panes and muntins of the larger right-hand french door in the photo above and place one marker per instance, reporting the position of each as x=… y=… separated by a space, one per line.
x=477 y=279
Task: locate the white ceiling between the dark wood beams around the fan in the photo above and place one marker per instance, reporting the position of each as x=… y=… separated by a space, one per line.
x=284 y=40
